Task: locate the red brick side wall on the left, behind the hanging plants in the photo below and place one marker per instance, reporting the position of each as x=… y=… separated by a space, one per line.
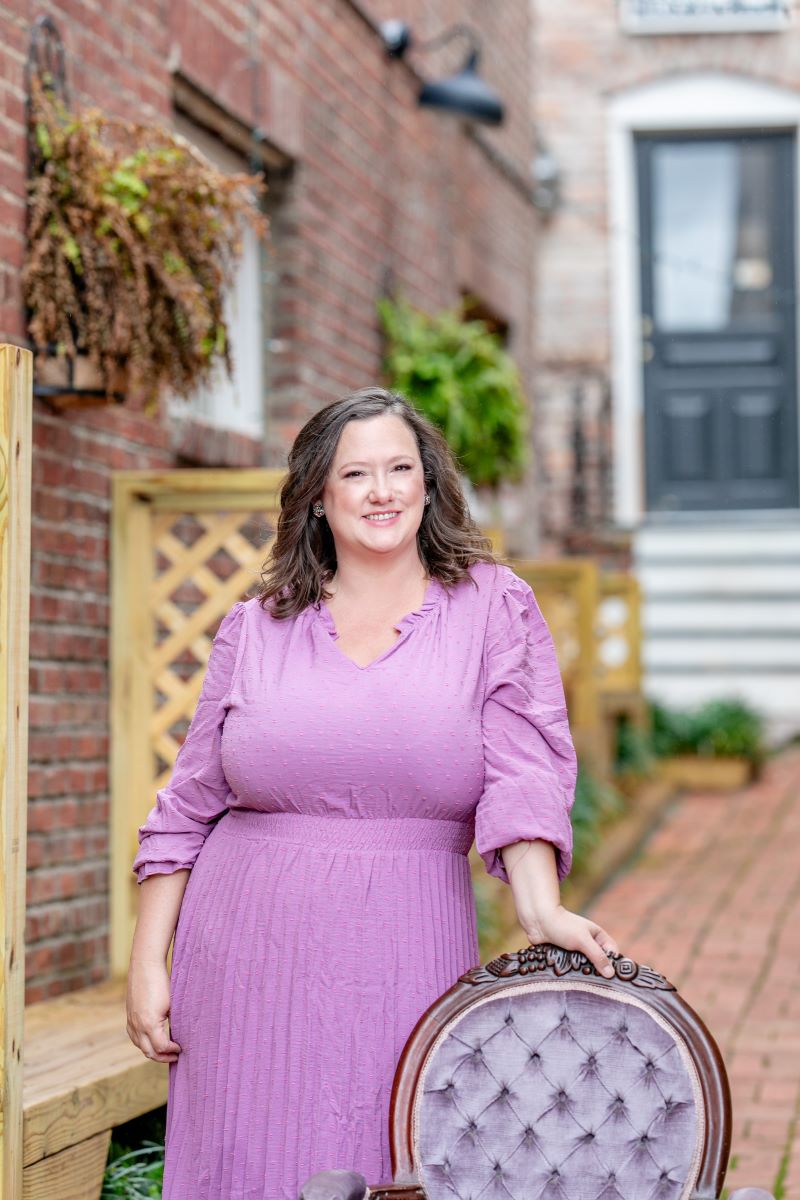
x=380 y=190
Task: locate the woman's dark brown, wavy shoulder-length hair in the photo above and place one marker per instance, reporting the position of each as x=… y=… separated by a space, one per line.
x=303 y=557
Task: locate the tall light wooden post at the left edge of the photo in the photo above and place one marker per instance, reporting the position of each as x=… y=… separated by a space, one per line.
x=16 y=406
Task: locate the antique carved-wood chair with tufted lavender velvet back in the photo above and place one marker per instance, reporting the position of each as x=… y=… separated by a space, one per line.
x=537 y=1078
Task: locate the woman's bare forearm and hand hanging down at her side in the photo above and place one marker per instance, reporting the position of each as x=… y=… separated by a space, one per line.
x=148 y=989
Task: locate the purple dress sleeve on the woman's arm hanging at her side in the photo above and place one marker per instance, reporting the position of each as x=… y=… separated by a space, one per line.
x=197 y=794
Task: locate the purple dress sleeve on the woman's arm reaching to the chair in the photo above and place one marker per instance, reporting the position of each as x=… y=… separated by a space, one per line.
x=530 y=760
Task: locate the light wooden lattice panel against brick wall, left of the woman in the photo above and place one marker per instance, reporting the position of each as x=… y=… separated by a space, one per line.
x=187 y=547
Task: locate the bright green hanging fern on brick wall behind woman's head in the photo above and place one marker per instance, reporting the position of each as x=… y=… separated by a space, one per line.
x=459 y=375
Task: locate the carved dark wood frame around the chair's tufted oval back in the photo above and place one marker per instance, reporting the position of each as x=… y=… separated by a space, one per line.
x=549 y=964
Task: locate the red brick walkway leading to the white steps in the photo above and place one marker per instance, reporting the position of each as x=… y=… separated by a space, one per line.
x=714 y=903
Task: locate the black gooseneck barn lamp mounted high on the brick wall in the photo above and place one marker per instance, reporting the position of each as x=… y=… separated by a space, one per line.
x=464 y=94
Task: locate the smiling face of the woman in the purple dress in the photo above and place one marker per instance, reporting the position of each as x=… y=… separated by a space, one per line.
x=375 y=494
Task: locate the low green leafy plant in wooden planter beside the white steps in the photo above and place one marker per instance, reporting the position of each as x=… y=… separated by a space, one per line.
x=720 y=729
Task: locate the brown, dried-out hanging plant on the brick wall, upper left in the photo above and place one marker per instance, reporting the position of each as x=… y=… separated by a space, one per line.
x=131 y=245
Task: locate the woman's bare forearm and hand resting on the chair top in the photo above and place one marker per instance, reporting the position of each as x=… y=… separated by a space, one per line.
x=531 y=867
